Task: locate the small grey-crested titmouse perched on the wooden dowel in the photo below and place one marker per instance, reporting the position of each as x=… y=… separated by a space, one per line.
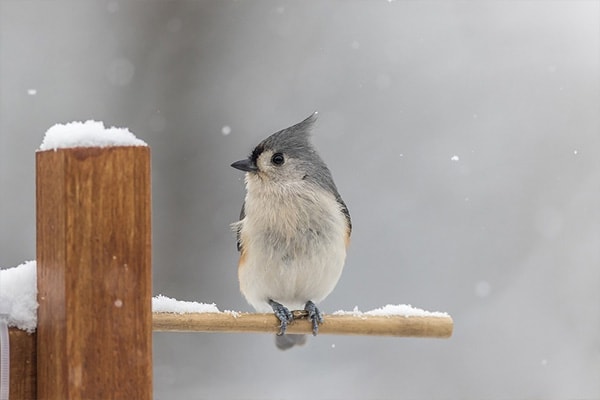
x=293 y=231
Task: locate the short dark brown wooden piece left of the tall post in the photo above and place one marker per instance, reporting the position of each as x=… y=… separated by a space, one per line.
x=22 y=365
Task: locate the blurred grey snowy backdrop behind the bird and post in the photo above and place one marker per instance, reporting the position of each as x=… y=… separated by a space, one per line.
x=464 y=137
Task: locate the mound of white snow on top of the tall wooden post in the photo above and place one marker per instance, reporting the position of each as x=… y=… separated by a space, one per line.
x=87 y=134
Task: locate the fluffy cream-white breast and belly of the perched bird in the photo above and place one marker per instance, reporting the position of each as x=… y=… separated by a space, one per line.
x=294 y=245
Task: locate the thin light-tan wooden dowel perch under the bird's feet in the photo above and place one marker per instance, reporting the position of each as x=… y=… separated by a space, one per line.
x=400 y=326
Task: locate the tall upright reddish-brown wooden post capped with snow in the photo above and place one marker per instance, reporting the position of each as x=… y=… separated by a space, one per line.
x=94 y=335
